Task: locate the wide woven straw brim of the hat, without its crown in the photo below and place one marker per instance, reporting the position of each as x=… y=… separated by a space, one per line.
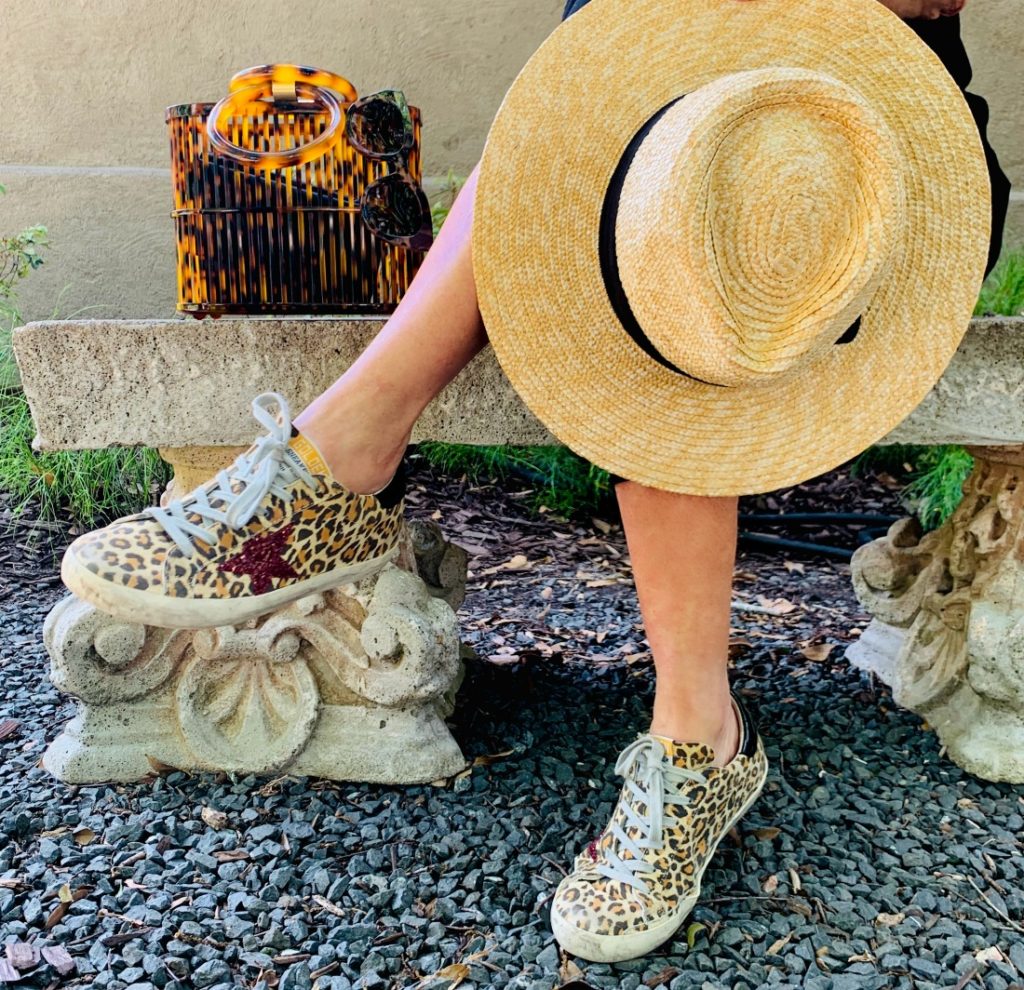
x=549 y=158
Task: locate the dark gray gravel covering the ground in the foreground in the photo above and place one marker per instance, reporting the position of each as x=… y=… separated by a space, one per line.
x=870 y=863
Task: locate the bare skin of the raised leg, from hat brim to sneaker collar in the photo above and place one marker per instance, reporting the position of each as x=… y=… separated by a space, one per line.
x=363 y=423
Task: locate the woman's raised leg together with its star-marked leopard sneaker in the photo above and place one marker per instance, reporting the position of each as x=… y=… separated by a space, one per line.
x=235 y=559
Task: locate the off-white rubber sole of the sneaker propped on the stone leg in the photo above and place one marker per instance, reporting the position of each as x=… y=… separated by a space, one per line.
x=153 y=609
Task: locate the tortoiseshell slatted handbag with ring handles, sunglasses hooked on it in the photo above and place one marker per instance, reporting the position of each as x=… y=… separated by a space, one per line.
x=293 y=196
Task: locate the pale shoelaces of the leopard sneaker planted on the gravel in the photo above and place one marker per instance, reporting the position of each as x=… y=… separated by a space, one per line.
x=656 y=784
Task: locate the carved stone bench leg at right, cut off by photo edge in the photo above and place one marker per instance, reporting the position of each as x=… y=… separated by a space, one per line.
x=949 y=629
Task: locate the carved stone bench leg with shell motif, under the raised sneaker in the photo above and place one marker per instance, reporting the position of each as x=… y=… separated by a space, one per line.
x=354 y=684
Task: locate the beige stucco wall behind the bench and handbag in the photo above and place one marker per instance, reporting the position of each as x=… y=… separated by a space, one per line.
x=86 y=82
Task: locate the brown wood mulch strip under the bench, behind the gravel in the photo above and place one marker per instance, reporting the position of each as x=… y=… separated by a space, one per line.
x=543 y=587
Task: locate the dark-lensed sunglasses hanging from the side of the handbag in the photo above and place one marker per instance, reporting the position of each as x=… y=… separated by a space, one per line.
x=395 y=208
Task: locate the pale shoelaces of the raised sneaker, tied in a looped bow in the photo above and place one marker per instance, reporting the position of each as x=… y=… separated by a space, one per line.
x=264 y=468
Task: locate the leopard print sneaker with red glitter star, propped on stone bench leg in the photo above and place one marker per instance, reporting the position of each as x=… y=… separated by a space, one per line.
x=271 y=529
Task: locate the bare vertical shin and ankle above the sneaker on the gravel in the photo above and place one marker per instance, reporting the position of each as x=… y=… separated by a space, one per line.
x=682 y=550
